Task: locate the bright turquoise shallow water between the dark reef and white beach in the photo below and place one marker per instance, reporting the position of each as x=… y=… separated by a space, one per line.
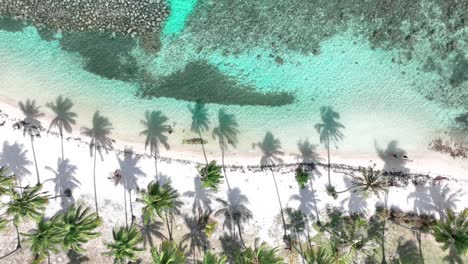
x=376 y=98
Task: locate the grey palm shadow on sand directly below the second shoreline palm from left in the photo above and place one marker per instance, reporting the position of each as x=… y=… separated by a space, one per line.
x=64 y=180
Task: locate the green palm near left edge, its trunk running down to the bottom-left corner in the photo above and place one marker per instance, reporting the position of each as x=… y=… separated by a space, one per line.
x=28 y=204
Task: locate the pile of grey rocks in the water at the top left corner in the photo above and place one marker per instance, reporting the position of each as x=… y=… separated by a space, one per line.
x=128 y=17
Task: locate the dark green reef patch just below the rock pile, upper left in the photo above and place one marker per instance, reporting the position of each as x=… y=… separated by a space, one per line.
x=106 y=55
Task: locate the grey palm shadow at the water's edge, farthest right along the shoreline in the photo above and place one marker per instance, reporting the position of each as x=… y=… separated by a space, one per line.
x=394 y=157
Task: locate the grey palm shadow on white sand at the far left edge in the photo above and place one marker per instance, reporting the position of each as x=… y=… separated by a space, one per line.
x=15 y=158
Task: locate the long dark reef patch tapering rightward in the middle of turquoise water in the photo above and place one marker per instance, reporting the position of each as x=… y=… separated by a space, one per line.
x=204 y=82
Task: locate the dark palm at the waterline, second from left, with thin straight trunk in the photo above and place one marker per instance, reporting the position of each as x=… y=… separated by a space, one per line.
x=64 y=117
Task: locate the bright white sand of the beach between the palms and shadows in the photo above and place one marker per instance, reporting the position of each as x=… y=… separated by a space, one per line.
x=256 y=185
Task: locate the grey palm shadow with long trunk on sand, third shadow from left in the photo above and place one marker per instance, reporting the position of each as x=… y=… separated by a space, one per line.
x=129 y=171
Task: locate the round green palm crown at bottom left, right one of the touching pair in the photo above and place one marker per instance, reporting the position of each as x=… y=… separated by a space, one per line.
x=78 y=226
